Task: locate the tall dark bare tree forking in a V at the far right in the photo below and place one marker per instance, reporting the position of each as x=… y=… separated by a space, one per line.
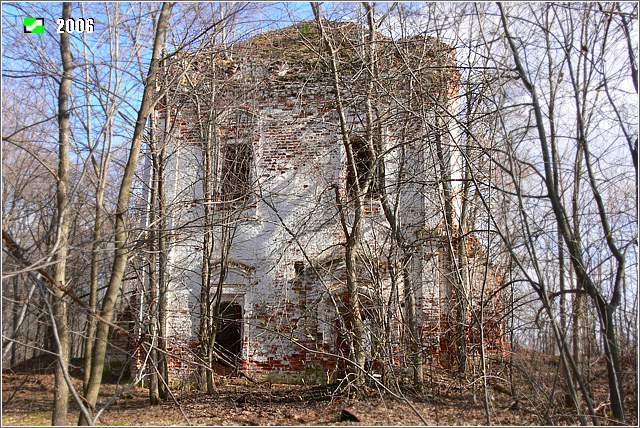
x=580 y=68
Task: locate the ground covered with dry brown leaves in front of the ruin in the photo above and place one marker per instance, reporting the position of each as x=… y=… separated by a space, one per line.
x=27 y=400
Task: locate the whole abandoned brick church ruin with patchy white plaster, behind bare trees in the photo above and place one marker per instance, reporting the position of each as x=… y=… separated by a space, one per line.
x=277 y=255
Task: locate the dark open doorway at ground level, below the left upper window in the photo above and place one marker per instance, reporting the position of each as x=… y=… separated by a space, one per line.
x=229 y=336
